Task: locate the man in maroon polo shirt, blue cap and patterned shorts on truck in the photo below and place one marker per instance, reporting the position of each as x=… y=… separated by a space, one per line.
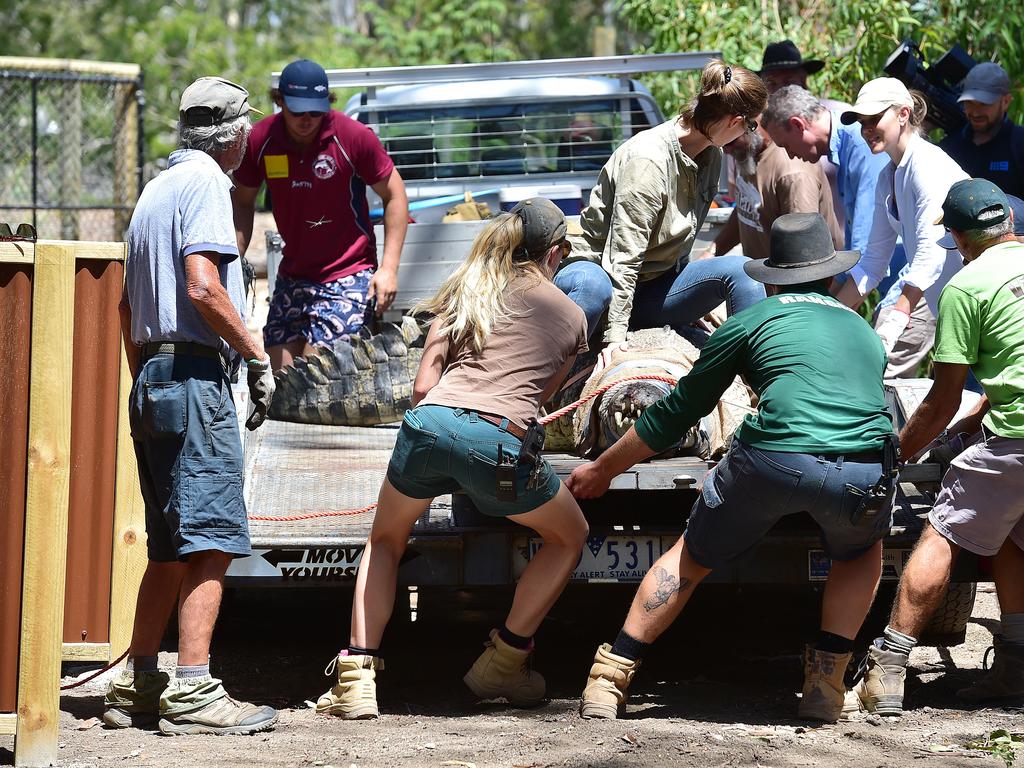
x=318 y=164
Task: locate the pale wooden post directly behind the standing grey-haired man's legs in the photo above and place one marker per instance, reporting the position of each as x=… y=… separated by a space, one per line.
x=130 y=528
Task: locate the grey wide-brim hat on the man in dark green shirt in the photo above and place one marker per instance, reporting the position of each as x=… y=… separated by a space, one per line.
x=801 y=251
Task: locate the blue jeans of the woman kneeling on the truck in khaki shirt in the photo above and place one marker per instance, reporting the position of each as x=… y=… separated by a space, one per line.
x=676 y=300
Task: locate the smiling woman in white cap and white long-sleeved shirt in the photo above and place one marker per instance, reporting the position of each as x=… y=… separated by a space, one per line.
x=908 y=202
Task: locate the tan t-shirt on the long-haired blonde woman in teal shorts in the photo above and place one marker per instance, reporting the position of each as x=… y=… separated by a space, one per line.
x=520 y=358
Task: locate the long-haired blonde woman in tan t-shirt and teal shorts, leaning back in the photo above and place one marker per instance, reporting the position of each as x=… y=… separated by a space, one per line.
x=502 y=343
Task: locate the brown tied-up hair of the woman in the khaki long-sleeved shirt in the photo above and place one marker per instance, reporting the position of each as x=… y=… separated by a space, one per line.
x=724 y=92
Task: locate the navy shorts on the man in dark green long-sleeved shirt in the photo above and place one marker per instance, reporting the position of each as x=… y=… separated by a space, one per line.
x=751 y=490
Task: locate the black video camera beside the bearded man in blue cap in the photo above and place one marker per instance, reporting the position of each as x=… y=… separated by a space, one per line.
x=941 y=83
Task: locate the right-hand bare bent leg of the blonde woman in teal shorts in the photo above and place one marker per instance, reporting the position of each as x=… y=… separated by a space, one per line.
x=565 y=530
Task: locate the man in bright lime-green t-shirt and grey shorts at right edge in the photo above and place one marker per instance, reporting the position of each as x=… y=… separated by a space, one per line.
x=980 y=507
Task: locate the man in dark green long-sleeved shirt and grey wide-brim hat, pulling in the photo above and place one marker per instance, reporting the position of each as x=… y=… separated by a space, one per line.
x=817 y=445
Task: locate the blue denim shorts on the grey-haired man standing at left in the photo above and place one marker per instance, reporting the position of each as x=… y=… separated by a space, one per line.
x=186 y=433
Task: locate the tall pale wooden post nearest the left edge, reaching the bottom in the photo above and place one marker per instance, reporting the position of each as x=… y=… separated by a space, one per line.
x=47 y=505
